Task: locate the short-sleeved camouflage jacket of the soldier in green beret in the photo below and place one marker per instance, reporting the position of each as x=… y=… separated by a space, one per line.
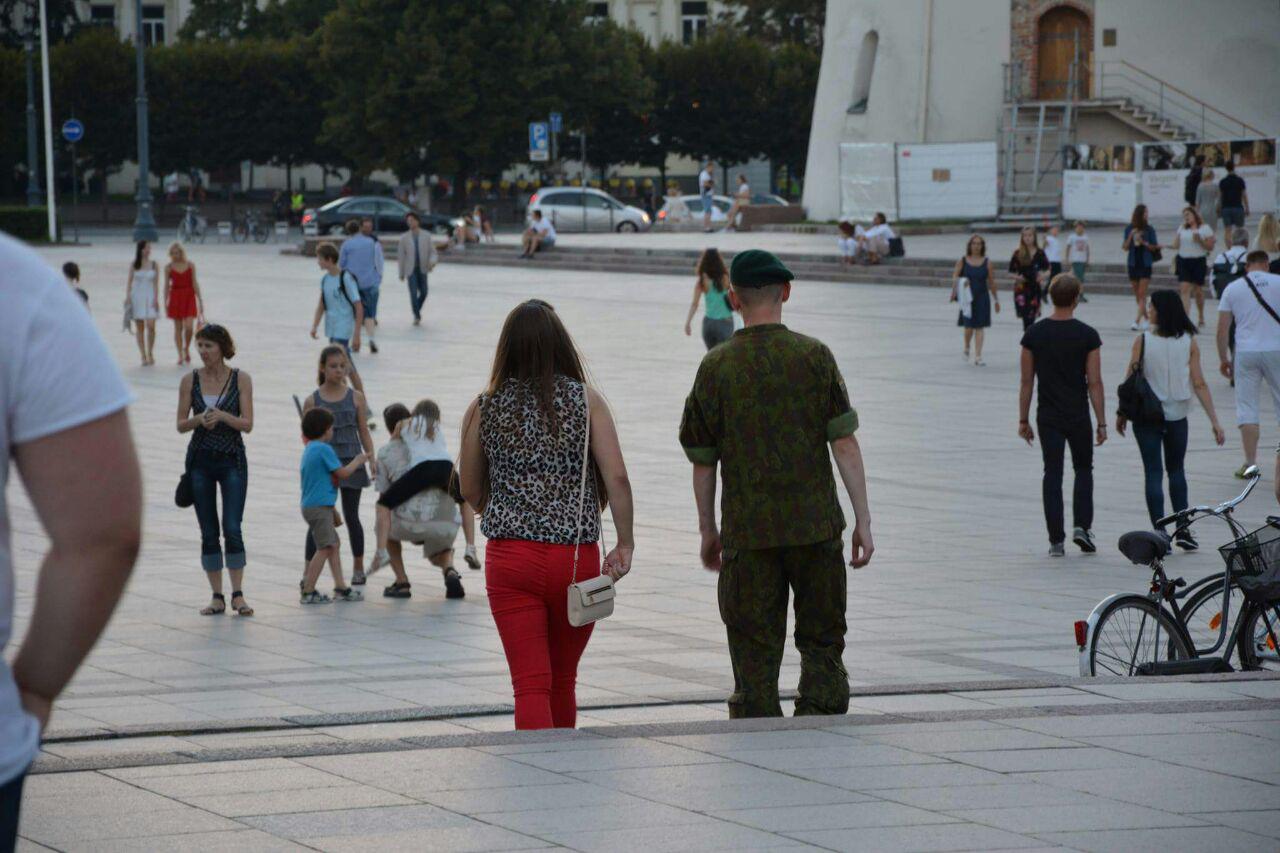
x=765 y=405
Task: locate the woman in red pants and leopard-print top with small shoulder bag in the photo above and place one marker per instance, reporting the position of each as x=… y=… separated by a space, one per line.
x=522 y=468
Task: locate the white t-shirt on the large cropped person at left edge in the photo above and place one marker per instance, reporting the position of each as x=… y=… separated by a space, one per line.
x=56 y=373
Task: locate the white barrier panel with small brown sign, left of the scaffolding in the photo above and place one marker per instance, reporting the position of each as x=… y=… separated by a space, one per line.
x=948 y=181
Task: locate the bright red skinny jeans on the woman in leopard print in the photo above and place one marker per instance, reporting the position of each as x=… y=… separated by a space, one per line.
x=528 y=585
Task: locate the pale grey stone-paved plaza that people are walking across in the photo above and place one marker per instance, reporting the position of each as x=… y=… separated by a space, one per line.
x=385 y=724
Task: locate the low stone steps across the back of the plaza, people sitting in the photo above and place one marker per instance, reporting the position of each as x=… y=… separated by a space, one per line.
x=912 y=272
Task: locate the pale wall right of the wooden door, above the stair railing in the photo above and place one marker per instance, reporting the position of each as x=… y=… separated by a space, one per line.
x=1226 y=53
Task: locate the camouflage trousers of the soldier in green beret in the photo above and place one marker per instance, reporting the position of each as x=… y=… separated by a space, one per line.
x=753 y=603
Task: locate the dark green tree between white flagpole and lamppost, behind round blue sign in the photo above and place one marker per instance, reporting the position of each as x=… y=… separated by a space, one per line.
x=93 y=80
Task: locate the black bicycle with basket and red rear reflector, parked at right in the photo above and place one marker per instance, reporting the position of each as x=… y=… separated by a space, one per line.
x=1177 y=630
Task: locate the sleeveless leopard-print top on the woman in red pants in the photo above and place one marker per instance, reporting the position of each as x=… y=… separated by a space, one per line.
x=534 y=476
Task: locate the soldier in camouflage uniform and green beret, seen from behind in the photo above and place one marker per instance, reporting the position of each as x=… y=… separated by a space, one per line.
x=766 y=407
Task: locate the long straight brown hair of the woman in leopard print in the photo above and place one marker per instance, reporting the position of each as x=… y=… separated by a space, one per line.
x=536 y=348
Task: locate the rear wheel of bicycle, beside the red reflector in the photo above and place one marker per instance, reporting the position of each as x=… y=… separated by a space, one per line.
x=1133 y=632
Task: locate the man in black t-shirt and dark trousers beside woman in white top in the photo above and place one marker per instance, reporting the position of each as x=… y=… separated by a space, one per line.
x=1062 y=354
